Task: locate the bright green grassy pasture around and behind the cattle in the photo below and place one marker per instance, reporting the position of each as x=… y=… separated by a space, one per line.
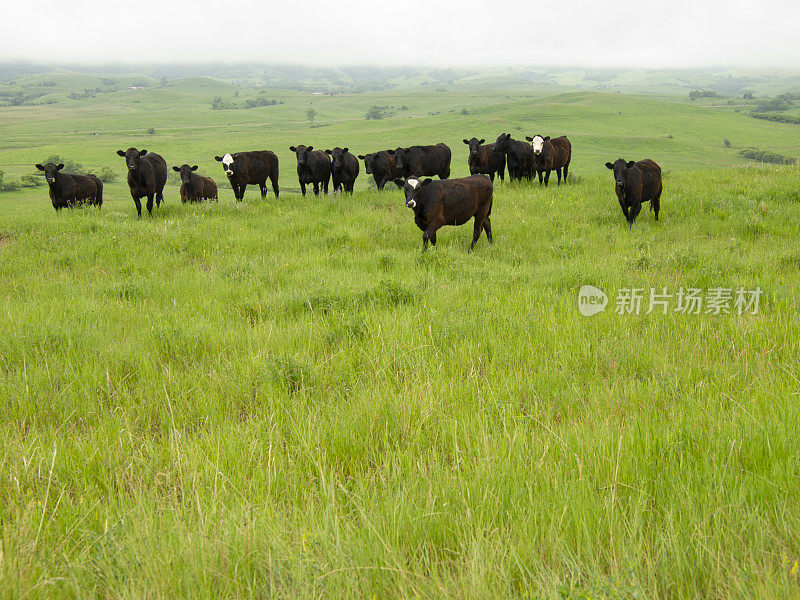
x=288 y=399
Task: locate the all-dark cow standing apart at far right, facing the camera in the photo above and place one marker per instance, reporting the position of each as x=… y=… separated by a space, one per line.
x=635 y=183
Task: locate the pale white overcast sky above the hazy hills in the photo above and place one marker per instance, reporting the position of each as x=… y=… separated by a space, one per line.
x=673 y=33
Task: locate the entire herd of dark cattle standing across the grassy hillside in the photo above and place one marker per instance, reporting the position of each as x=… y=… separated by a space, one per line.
x=435 y=203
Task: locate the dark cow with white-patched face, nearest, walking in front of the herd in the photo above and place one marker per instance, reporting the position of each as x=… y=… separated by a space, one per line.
x=451 y=202
